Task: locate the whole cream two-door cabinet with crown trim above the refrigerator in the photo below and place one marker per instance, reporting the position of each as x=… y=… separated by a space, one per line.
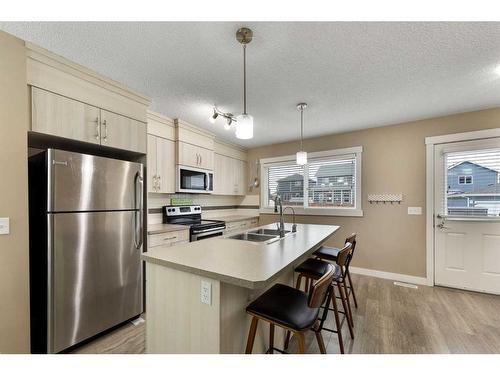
x=71 y=101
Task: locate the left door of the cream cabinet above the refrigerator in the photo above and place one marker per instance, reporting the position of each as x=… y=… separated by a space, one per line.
x=56 y=115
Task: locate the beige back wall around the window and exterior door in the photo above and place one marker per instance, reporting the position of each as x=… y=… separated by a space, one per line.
x=393 y=161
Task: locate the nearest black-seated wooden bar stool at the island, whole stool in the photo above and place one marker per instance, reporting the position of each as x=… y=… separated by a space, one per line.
x=292 y=310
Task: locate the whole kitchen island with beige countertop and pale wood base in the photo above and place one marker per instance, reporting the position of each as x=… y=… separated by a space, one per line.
x=196 y=293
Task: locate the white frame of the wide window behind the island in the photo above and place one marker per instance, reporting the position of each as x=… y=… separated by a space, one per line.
x=304 y=209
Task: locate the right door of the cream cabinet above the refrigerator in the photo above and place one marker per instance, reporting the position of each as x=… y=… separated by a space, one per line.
x=122 y=132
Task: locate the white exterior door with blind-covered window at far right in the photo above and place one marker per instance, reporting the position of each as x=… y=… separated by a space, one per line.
x=467 y=215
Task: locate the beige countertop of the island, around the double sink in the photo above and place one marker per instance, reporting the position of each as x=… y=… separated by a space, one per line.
x=247 y=264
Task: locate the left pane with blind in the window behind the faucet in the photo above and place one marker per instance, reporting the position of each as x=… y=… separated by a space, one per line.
x=288 y=181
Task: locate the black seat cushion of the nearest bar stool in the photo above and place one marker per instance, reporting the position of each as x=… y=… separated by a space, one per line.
x=286 y=306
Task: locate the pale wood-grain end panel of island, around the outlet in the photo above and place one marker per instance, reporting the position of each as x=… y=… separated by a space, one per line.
x=177 y=321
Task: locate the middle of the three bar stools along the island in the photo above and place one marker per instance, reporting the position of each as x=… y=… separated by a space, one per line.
x=313 y=269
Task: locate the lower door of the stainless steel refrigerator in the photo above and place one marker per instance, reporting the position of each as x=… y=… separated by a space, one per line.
x=96 y=275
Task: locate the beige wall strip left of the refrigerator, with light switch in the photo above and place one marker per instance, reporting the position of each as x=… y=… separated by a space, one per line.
x=14 y=297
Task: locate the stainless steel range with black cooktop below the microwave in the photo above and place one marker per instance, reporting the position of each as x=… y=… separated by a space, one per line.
x=191 y=215
